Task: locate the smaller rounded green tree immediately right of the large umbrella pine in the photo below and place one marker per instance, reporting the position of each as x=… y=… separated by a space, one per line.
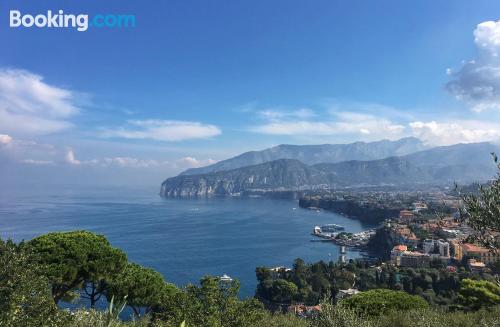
x=143 y=287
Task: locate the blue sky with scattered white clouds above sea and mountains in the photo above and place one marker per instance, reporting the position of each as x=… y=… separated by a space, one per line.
x=199 y=81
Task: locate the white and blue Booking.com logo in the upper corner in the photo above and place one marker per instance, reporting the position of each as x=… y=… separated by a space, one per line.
x=61 y=20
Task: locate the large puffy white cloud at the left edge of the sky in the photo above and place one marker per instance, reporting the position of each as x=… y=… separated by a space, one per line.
x=28 y=105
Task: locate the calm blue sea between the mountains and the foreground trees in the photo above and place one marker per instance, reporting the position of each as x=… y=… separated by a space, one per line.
x=184 y=239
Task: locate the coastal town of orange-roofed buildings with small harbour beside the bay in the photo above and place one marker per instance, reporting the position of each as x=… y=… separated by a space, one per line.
x=418 y=227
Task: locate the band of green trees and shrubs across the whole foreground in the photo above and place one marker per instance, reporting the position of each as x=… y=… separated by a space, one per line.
x=27 y=275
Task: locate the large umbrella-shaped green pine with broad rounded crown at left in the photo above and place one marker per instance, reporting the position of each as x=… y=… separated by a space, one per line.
x=77 y=260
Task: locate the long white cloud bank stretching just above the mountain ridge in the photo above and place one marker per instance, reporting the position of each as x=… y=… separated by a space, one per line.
x=363 y=125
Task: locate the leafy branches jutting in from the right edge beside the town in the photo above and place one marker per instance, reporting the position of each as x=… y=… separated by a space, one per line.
x=482 y=212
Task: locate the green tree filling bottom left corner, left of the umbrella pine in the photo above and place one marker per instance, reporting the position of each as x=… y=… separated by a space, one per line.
x=25 y=298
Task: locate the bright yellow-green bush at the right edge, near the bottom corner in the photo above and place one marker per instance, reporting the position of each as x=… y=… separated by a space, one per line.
x=477 y=294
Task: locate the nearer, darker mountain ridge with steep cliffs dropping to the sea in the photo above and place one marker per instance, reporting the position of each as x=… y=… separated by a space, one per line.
x=463 y=163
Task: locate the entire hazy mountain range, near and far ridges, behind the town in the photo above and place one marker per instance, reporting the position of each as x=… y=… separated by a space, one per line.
x=463 y=163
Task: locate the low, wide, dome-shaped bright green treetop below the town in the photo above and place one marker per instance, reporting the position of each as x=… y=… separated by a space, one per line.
x=382 y=301
